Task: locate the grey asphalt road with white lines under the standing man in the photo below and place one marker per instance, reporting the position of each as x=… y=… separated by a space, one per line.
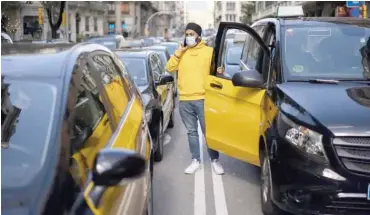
x=235 y=193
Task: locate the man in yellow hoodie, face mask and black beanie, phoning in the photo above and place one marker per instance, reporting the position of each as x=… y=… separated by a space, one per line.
x=193 y=63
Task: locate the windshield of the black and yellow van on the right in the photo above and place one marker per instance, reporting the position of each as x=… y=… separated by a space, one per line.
x=330 y=51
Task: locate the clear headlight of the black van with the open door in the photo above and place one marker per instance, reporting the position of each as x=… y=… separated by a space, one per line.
x=304 y=139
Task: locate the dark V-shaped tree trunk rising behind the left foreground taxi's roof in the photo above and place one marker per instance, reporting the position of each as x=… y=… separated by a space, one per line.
x=54 y=11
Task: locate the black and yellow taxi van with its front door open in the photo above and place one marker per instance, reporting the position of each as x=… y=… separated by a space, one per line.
x=299 y=107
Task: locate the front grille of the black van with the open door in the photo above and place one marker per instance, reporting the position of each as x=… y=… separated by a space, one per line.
x=354 y=153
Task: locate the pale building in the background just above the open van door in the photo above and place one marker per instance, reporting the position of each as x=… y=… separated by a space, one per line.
x=227 y=11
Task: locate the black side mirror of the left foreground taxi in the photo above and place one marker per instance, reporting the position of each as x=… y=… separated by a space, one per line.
x=111 y=166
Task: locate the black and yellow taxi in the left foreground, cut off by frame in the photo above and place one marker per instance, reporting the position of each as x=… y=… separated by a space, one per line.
x=74 y=137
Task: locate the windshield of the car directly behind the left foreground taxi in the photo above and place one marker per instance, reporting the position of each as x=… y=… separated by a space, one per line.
x=137 y=69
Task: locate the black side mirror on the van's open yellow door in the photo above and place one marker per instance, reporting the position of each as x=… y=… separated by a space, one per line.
x=248 y=78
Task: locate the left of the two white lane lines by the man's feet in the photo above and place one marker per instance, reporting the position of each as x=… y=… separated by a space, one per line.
x=199 y=185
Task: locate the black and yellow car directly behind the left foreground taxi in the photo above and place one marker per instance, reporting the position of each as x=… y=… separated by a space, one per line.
x=156 y=88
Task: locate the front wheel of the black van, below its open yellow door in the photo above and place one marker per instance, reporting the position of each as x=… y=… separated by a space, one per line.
x=268 y=207
